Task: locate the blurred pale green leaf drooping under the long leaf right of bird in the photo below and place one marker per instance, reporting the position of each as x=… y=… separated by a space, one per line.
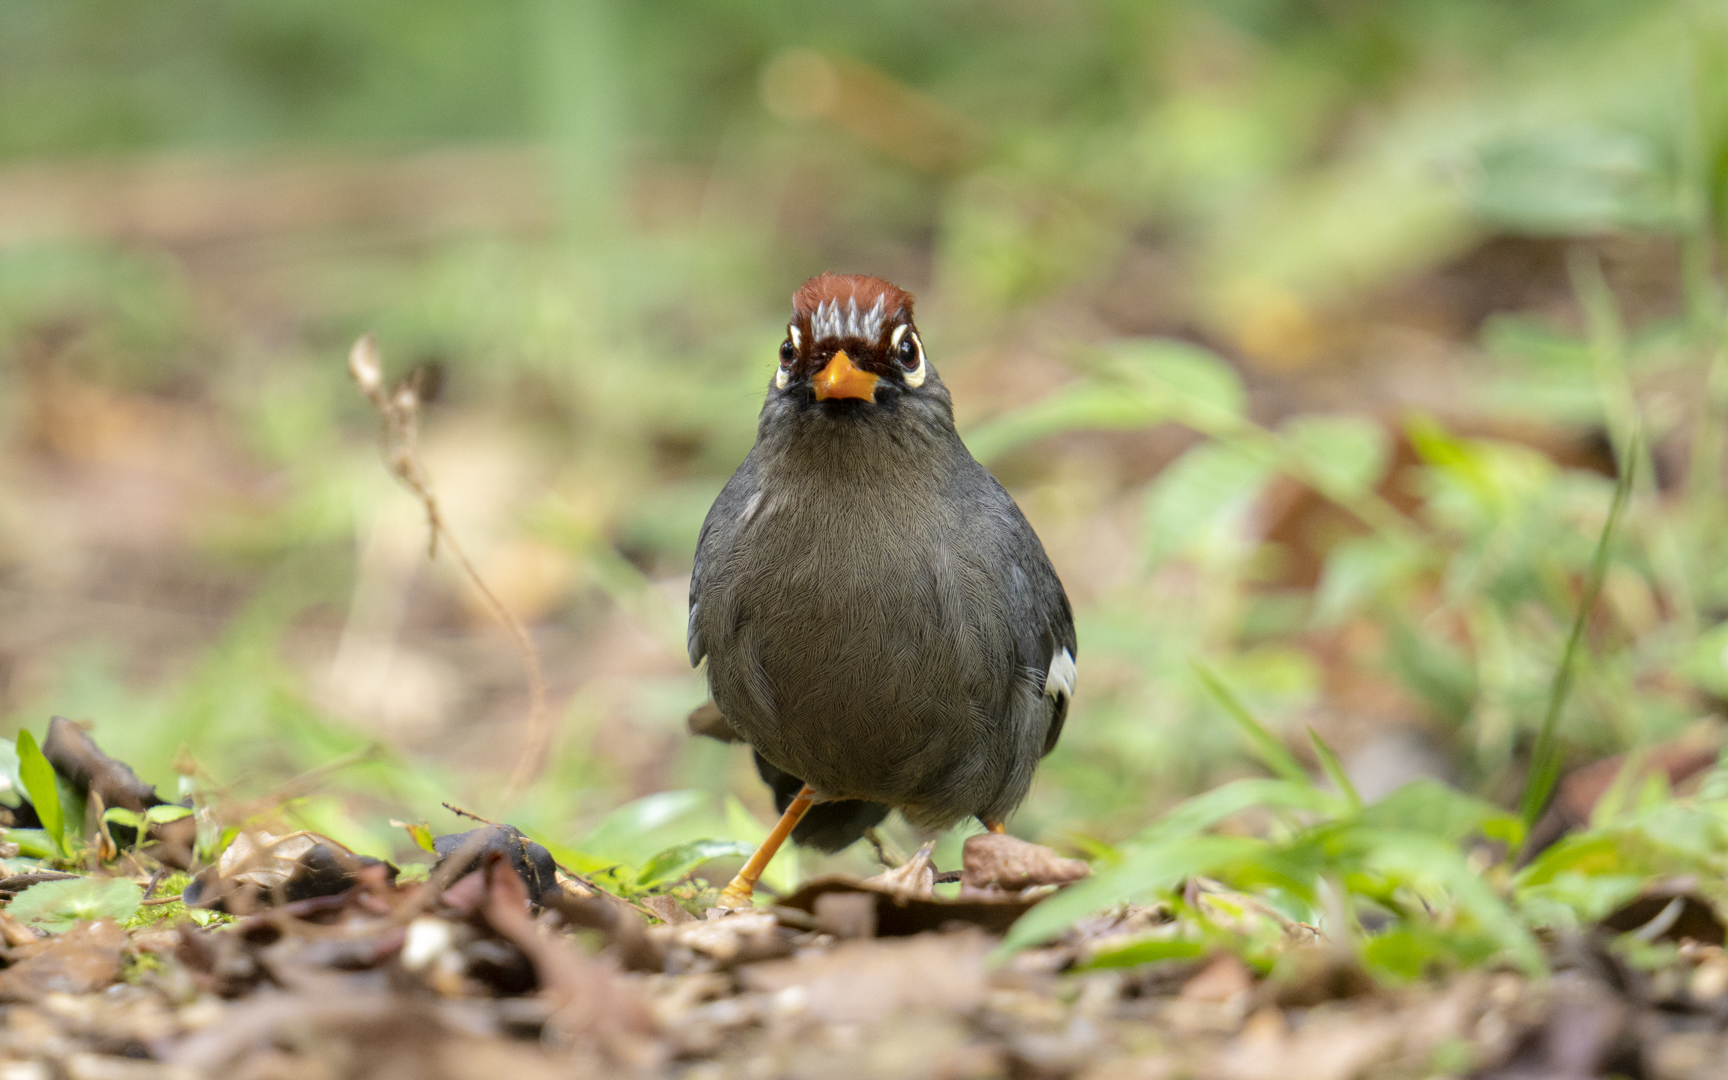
x=1200 y=500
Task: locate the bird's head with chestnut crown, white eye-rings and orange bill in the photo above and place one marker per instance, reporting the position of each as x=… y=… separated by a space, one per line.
x=851 y=346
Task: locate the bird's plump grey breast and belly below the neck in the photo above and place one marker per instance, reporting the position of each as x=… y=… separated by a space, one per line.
x=861 y=635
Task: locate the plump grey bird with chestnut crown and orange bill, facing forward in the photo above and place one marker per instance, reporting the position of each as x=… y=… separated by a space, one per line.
x=879 y=619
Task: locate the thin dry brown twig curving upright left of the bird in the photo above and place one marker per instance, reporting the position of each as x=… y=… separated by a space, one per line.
x=400 y=412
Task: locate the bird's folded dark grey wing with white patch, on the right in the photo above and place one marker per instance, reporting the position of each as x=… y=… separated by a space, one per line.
x=1041 y=616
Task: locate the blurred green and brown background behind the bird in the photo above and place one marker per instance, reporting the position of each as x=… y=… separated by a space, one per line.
x=1309 y=334
